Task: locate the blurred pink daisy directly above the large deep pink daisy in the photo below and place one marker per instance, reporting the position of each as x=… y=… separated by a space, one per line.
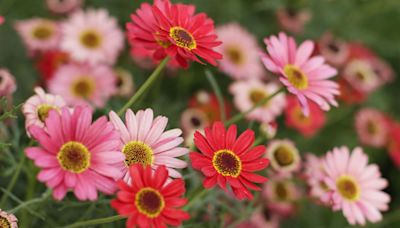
x=83 y=84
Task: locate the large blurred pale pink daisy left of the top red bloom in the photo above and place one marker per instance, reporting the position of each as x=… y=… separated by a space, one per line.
x=92 y=36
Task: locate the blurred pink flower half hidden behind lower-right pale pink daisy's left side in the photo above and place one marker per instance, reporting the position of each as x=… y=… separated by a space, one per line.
x=315 y=175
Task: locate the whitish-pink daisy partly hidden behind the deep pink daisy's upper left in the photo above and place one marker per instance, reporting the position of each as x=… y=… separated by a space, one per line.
x=36 y=108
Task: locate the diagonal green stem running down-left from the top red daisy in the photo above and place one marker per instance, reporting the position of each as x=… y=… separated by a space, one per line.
x=152 y=78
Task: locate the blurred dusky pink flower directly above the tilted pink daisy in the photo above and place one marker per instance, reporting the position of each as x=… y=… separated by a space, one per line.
x=292 y=20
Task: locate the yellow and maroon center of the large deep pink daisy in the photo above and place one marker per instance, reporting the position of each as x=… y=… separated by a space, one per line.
x=74 y=157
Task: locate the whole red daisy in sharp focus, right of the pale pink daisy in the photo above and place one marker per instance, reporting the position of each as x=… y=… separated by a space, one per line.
x=227 y=160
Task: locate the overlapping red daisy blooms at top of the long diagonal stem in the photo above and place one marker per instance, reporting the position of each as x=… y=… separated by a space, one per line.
x=174 y=30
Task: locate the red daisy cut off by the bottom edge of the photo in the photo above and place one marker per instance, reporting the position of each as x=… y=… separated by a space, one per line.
x=150 y=200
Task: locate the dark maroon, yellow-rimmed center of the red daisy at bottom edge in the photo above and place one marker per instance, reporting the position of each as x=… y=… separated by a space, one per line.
x=149 y=202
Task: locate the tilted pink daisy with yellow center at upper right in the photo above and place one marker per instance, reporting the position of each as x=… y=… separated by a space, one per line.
x=303 y=75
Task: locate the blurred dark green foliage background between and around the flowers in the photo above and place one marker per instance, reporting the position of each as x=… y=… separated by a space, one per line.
x=372 y=22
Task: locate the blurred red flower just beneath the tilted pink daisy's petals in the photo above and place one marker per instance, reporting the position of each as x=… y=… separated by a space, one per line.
x=306 y=125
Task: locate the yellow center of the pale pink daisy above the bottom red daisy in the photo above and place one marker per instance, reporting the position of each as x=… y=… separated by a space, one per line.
x=137 y=152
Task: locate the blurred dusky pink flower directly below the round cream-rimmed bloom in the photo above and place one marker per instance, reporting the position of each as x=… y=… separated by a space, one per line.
x=281 y=195
